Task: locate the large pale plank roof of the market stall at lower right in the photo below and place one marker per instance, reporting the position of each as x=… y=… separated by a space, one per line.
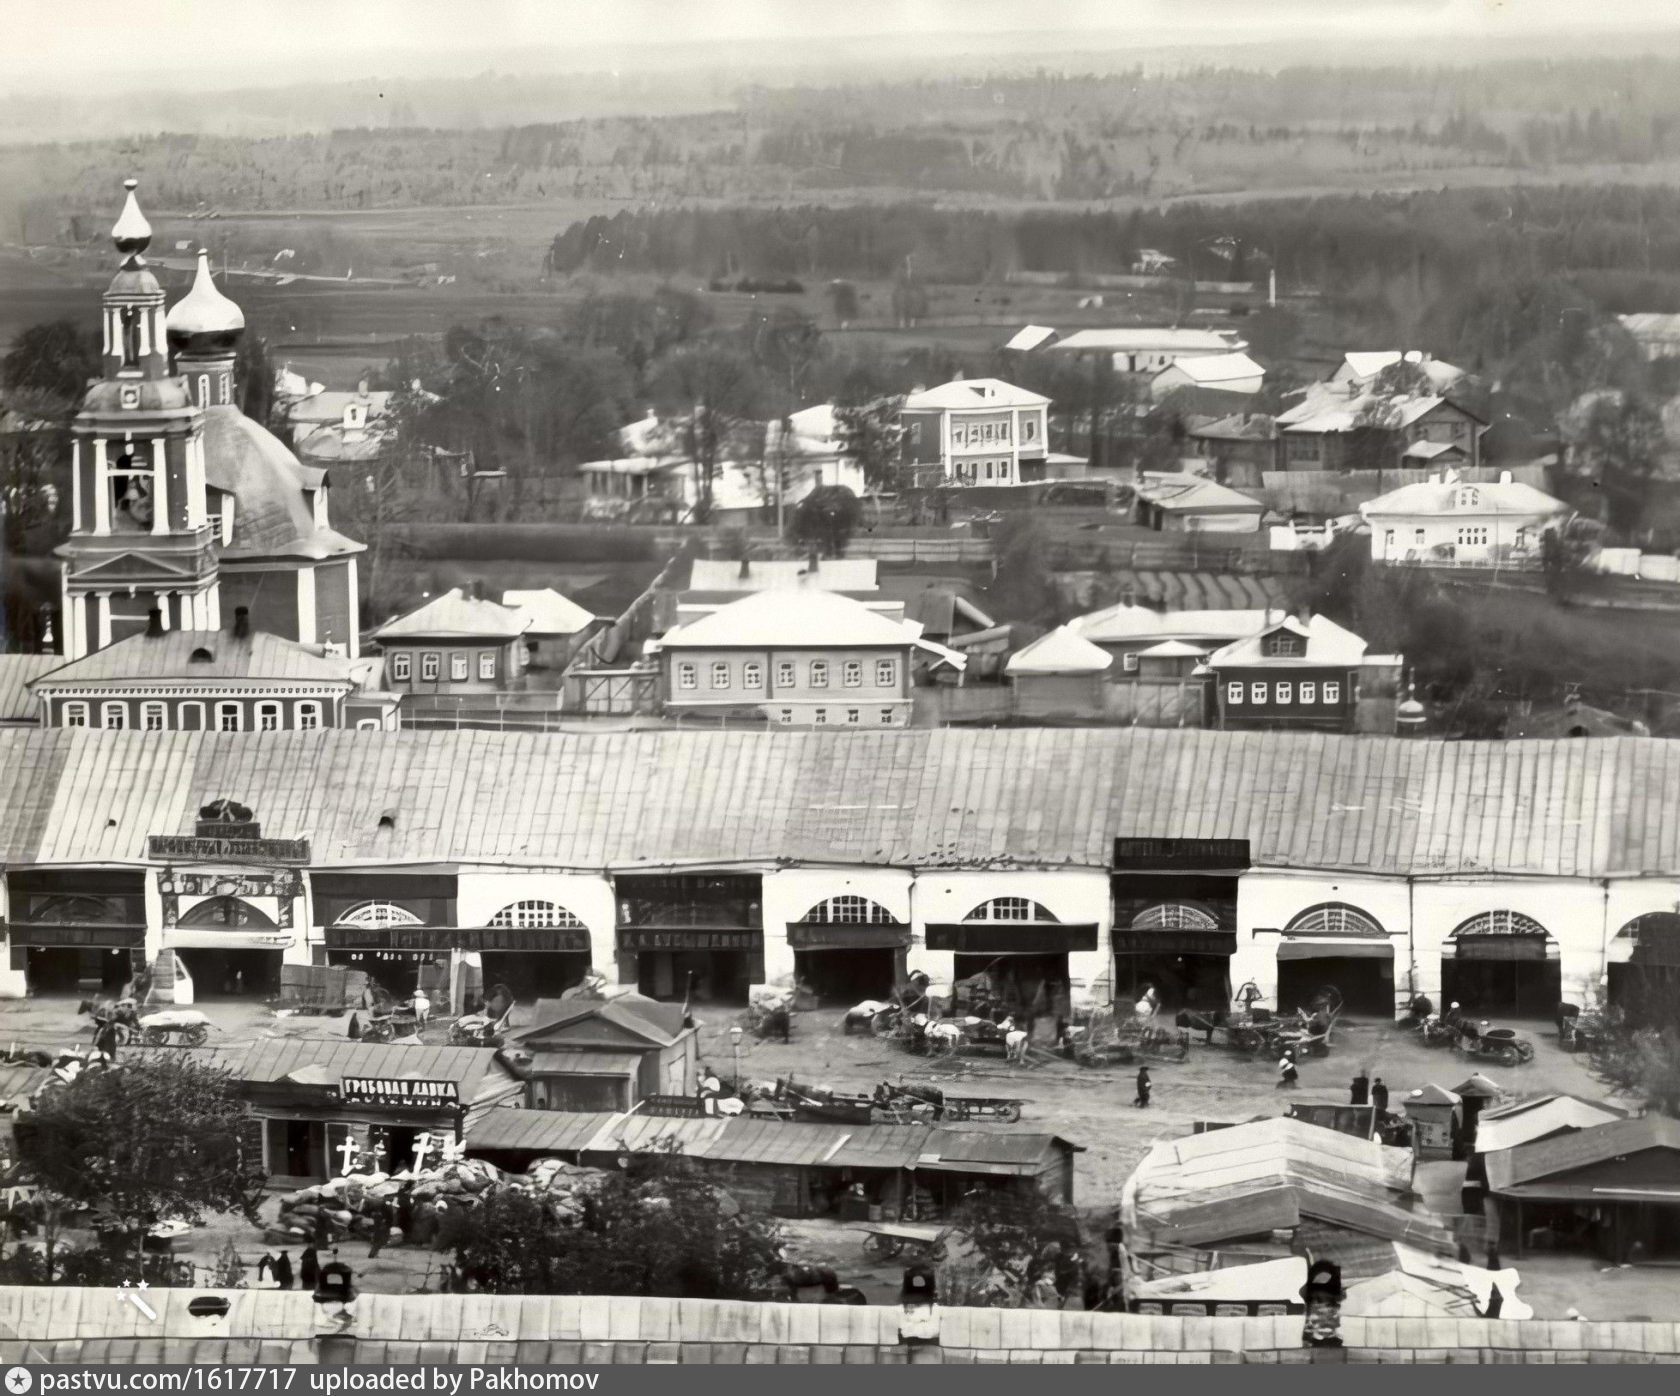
x=1271 y=1177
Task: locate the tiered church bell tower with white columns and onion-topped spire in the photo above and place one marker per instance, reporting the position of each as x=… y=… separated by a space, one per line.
x=140 y=538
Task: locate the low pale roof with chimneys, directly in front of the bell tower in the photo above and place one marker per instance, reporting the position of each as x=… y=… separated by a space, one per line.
x=171 y=658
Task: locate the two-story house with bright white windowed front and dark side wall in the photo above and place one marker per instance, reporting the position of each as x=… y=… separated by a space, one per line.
x=977 y=431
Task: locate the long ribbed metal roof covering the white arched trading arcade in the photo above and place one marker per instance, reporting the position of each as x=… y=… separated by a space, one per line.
x=908 y=799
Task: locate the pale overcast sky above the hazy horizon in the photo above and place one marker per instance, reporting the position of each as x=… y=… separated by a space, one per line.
x=238 y=43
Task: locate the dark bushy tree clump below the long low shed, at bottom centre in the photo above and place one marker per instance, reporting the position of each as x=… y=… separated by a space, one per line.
x=656 y=1229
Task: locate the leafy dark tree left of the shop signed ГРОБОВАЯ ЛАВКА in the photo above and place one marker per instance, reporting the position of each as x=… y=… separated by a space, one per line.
x=152 y=1138
